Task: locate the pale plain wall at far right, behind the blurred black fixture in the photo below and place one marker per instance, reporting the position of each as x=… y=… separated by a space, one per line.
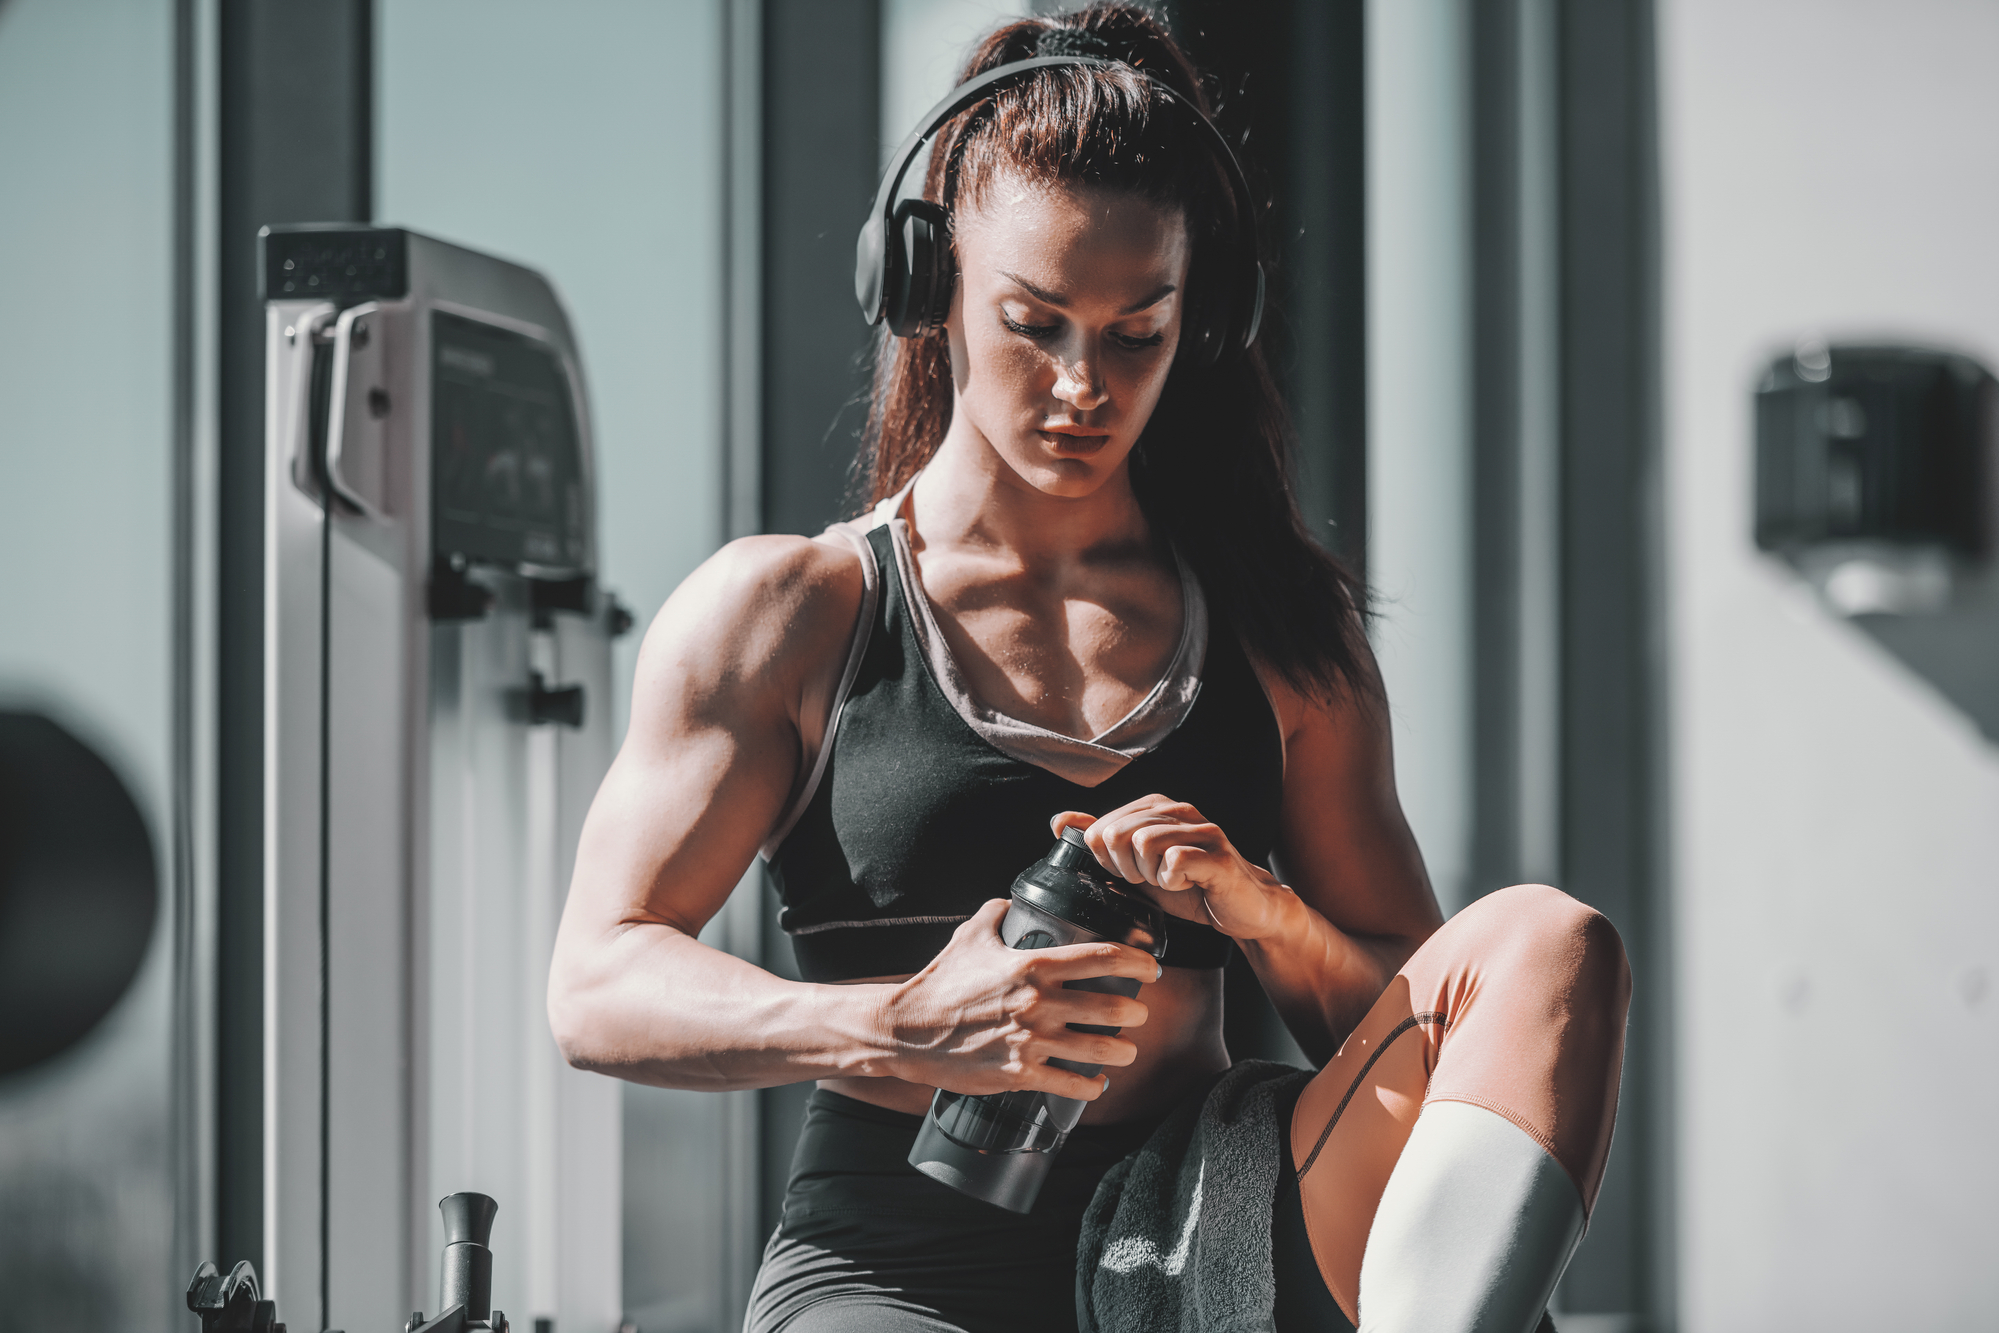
x=1832 y=167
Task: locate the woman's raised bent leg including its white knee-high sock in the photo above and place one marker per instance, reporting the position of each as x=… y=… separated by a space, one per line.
x=1452 y=1152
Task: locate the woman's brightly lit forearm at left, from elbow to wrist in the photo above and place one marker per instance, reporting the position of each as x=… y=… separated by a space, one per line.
x=659 y=1006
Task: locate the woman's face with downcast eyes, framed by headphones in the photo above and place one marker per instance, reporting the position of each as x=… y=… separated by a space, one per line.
x=1064 y=327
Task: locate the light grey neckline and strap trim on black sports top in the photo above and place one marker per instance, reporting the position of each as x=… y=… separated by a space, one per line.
x=1084 y=762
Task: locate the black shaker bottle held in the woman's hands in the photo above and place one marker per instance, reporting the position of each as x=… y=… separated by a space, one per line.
x=1000 y=1146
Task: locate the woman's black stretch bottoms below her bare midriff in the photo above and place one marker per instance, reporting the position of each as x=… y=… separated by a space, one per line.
x=871 y=1244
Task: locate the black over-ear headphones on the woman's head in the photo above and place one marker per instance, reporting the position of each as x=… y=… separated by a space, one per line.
x=903 y=261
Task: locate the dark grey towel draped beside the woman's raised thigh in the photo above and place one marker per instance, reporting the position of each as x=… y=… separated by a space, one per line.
x=1178 y=1234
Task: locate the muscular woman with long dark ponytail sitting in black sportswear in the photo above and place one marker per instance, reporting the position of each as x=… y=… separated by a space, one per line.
x=1084 y=599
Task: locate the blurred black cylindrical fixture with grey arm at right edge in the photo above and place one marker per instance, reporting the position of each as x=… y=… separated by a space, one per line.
x=1878 y=481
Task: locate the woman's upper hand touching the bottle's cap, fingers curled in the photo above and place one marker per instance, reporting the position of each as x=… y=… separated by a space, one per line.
x=1186 y=864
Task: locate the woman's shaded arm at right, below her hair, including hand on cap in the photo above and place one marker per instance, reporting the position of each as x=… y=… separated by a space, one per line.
x=1348 y=902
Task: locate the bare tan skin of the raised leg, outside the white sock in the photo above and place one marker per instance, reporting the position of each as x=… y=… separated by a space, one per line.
x=1516 y=1004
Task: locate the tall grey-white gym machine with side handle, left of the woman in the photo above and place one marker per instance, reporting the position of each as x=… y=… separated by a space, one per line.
x=437 y=724
